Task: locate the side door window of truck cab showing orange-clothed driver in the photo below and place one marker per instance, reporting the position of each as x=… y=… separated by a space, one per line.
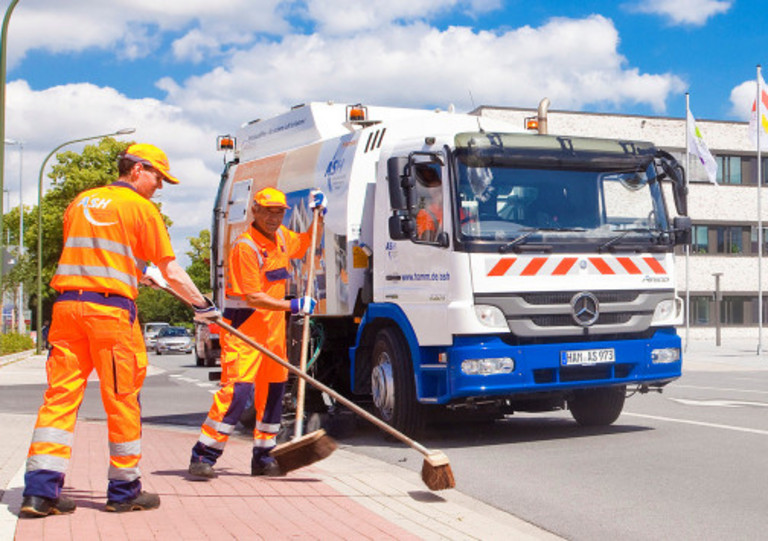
x=427 y=210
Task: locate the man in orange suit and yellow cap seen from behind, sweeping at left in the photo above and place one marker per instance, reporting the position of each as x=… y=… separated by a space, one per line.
x=109 y=234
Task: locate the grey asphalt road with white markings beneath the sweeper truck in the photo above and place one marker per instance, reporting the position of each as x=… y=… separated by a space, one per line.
x=685 y=464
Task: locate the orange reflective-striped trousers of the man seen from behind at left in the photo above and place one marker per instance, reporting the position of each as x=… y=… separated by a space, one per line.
x=84 y=336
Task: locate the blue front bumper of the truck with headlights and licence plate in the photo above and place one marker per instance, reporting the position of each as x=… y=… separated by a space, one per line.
x=543 y=367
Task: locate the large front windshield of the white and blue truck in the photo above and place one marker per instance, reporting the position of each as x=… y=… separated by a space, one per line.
x=522 y=201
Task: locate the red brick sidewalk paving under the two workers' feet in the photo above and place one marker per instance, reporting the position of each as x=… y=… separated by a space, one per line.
x=233 y=506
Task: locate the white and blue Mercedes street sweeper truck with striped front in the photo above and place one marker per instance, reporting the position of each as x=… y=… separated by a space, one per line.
x=469 y=264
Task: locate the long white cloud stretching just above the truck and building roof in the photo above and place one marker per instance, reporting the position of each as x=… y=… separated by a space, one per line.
x=573 y=62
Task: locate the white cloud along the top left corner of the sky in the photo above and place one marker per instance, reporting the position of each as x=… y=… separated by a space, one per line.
x=132 y=28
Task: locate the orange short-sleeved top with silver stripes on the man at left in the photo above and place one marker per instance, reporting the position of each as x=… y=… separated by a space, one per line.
x=110 y=233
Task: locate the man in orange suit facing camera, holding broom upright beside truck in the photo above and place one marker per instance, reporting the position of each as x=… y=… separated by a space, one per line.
x=259 y=263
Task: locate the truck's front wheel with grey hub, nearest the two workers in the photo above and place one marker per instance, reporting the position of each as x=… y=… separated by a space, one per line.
x=393 y=386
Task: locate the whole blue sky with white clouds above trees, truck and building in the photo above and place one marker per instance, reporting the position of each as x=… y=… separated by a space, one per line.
x=182 y=71
